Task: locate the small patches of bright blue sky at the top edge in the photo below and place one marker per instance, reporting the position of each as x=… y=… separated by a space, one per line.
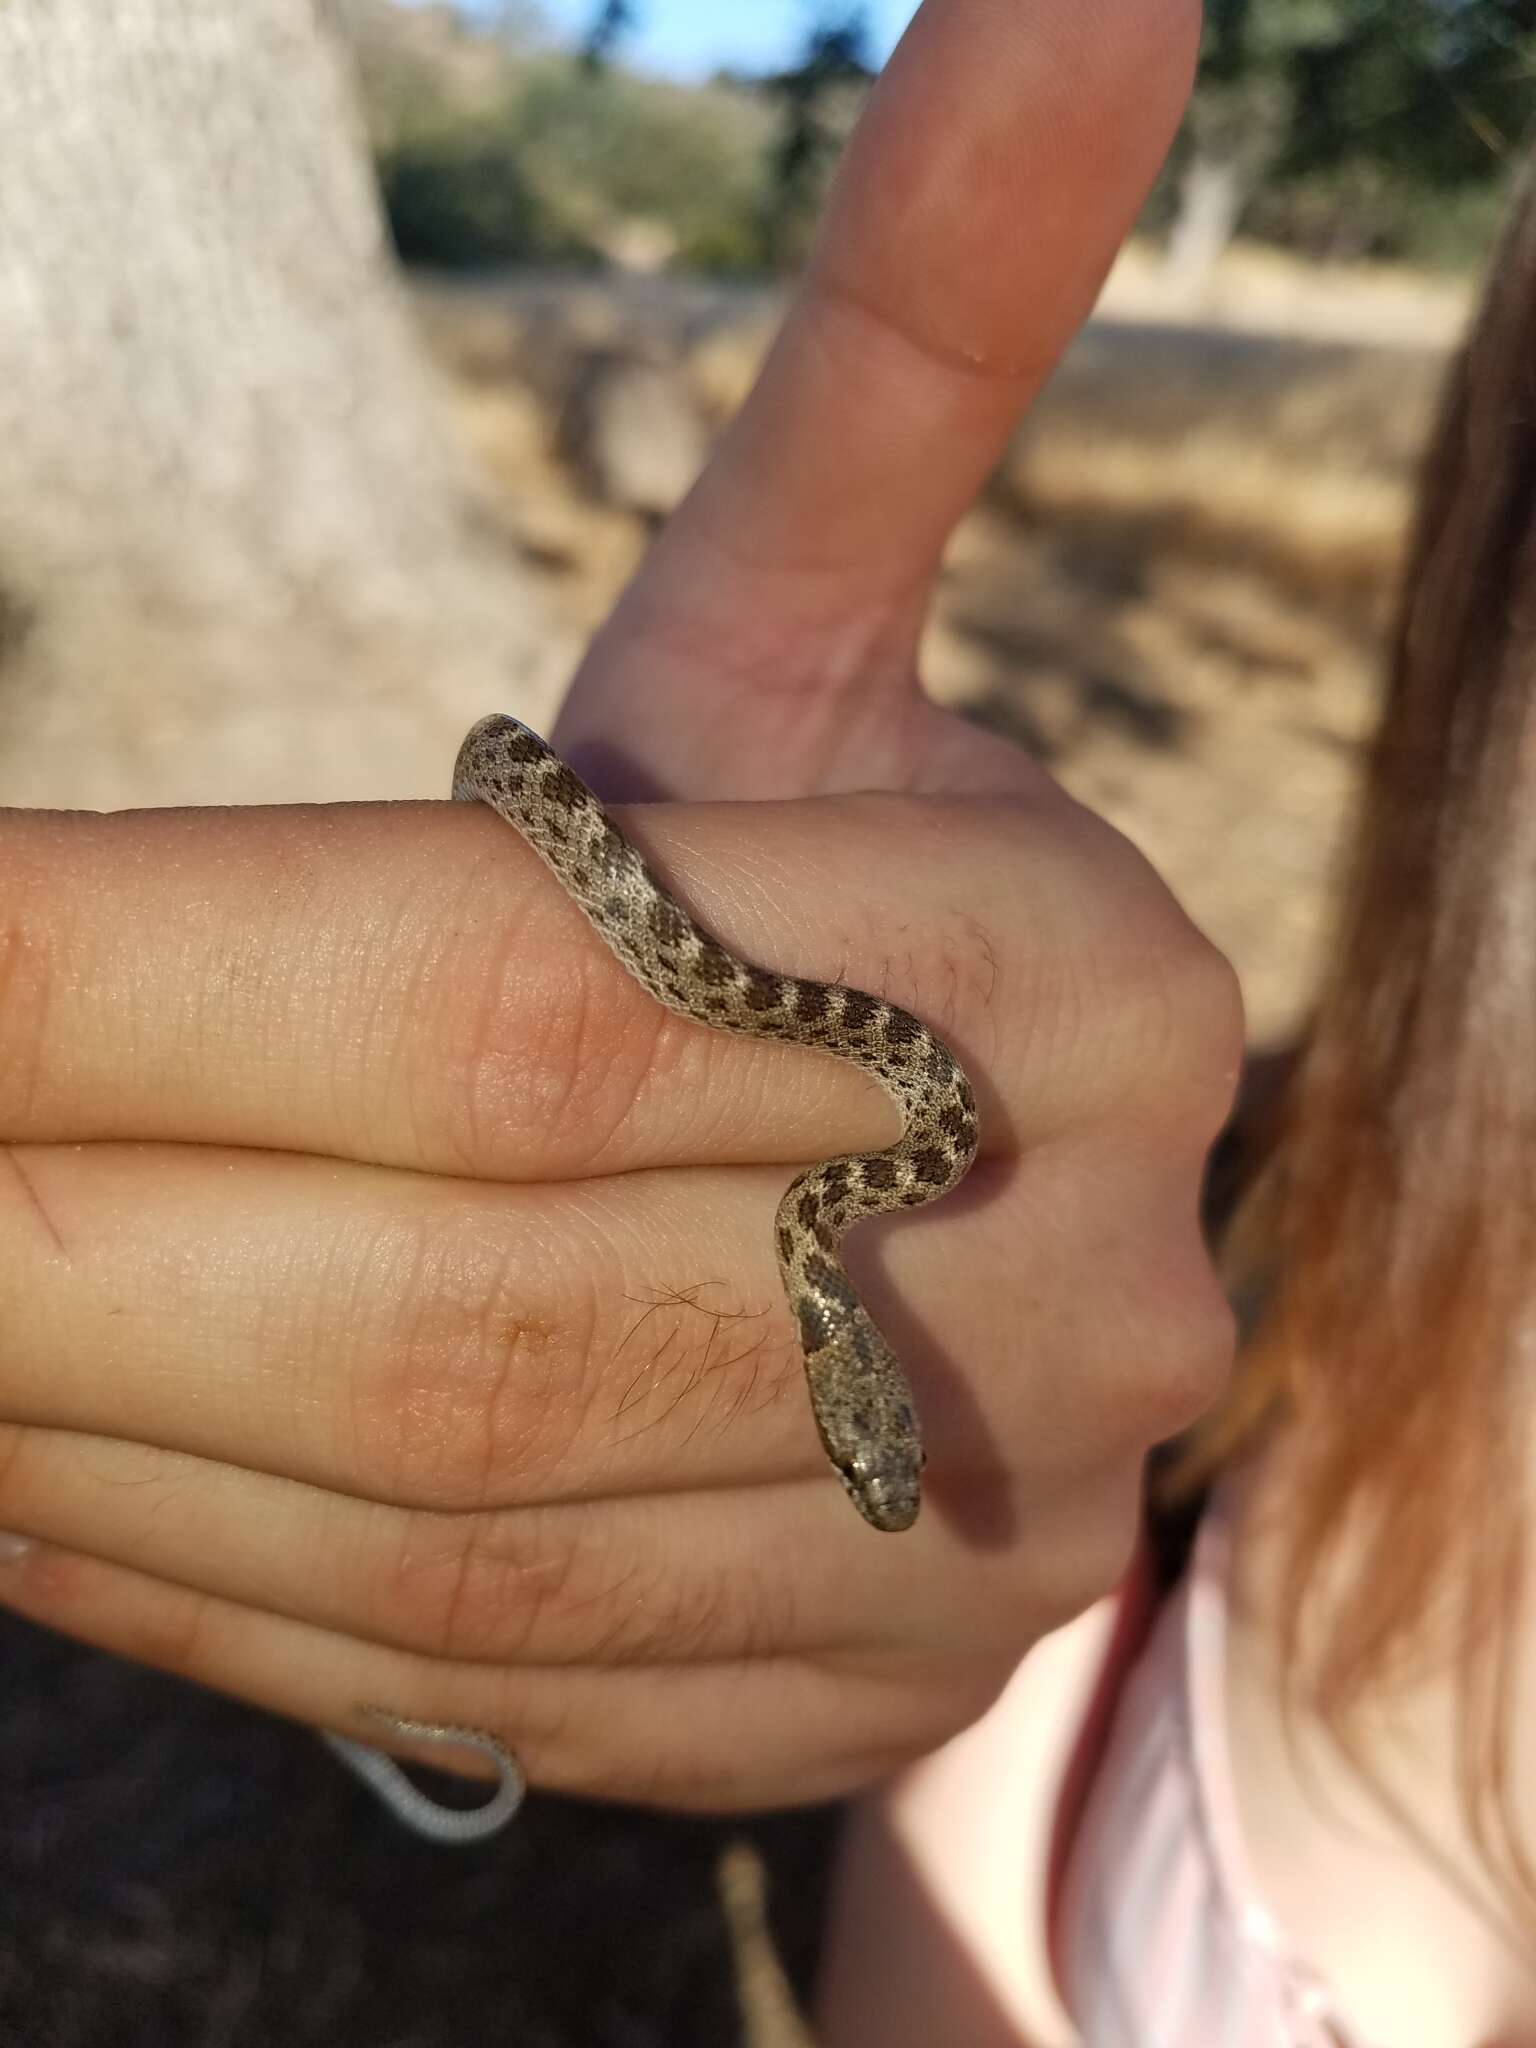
x=695 y=38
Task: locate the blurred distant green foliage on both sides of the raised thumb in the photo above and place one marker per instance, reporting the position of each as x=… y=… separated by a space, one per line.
x=1353 y=128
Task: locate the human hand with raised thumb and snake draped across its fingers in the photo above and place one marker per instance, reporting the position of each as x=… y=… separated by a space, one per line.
x=388 y=1299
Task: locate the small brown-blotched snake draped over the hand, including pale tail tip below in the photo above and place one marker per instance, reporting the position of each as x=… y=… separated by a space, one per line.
x=859 y=1394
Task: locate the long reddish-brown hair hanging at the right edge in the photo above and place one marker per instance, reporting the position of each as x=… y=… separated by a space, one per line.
x=1392 y=1236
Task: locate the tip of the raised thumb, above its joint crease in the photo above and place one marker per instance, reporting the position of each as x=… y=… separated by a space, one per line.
x=1005 y=155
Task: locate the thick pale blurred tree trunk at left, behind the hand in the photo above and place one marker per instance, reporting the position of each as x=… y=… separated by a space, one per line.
x=241 y=554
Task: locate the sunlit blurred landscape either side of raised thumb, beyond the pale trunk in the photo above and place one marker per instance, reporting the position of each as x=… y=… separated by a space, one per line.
x=1179 y=583
